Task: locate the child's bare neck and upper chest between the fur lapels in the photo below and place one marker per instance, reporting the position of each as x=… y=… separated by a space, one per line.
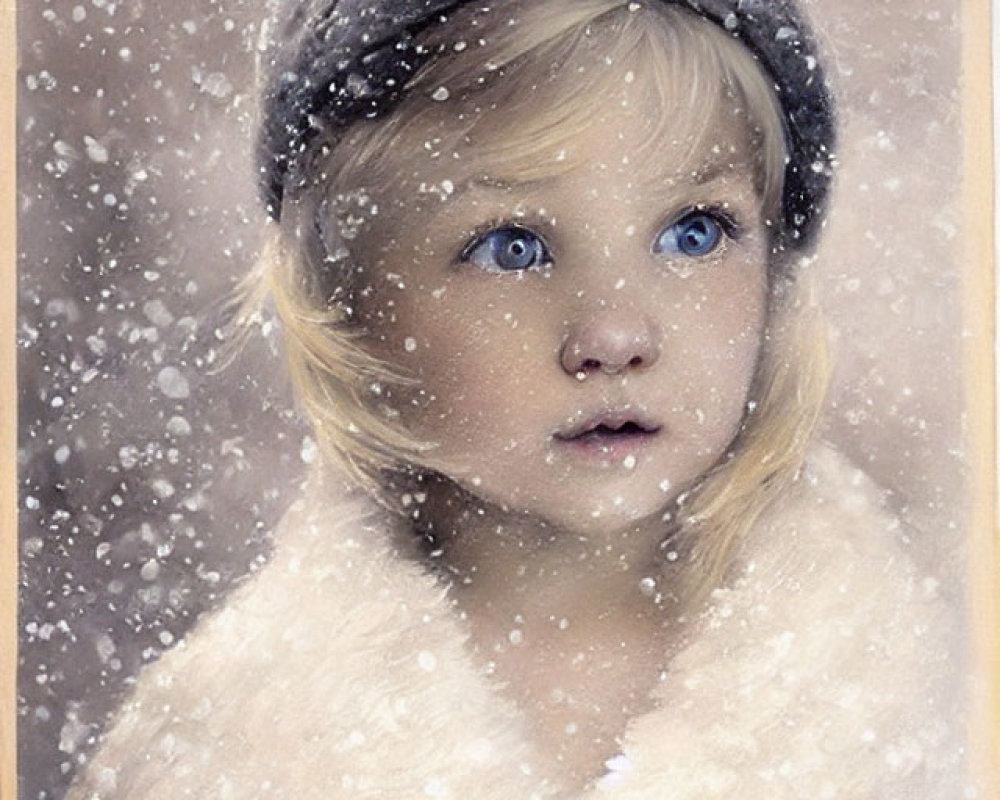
x=575 y=625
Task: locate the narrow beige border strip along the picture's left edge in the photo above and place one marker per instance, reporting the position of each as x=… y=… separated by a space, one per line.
x=8 y=402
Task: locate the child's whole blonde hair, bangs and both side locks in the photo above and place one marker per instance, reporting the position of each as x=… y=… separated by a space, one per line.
x=480 y=62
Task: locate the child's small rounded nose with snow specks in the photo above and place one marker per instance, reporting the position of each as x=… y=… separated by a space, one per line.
x=610 y=341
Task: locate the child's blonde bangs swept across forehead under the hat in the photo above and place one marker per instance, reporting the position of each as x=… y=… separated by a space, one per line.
x=508 y=98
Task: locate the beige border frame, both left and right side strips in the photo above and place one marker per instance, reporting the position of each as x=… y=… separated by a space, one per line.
x=979 y=372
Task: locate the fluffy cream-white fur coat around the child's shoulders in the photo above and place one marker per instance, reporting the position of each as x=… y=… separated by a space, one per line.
x=823 y=669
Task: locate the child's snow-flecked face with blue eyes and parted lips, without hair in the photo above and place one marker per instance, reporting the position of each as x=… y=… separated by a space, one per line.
x=585 y=343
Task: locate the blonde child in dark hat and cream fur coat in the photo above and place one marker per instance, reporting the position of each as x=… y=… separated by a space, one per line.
x=542 y=269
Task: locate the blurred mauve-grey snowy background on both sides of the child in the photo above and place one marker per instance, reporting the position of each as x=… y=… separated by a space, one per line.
x=150 y=475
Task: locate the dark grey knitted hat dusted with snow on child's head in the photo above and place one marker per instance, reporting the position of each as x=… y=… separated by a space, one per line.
x=334 y=62
